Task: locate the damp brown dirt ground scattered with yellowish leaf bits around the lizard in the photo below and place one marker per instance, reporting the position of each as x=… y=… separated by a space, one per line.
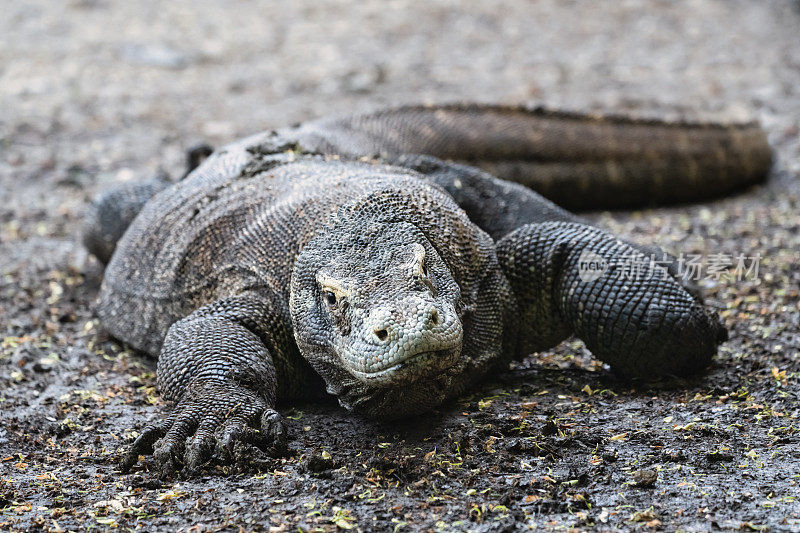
x=96 y=92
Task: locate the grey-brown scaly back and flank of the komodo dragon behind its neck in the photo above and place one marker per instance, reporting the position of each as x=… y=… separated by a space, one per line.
x=237 y=223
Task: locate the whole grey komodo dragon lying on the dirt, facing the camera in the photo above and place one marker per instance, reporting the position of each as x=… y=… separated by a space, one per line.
x=361 y=256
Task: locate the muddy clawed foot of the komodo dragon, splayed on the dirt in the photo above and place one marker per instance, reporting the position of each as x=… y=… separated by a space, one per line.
x=211 y=416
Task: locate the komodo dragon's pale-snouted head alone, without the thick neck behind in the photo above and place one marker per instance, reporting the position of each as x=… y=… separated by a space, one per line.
x=377 y=302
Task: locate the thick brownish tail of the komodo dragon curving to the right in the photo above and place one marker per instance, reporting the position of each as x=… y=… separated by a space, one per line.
x=579 y=161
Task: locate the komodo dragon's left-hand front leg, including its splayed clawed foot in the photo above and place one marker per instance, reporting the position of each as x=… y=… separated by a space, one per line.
x=215 y=365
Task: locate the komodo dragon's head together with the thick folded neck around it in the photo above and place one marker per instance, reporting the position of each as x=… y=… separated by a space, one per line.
x=398 y=301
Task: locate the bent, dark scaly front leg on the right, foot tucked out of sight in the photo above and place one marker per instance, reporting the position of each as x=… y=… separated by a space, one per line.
x=570 y=278
